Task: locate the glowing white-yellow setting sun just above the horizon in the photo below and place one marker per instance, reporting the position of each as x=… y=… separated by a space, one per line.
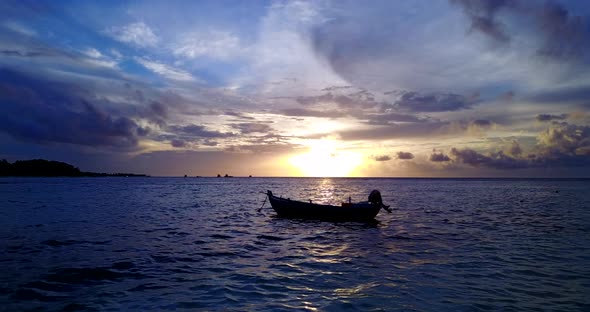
x=324 y=159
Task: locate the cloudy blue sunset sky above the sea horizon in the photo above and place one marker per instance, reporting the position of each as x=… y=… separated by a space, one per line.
x=422 y=88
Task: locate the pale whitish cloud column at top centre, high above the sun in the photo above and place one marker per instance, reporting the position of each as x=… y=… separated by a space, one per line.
x=282 y=51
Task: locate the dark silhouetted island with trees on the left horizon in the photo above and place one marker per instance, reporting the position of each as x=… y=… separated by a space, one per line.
x=50 y=168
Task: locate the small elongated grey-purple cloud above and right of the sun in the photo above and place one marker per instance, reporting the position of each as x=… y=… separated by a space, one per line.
x=433 y=102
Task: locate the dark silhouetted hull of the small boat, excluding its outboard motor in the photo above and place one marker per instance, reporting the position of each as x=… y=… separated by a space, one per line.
x=287 y=208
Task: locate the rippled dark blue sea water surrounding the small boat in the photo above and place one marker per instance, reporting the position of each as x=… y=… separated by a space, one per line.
x=113 y=244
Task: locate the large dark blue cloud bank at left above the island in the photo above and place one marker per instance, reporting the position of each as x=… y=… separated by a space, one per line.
x=46 y=111
